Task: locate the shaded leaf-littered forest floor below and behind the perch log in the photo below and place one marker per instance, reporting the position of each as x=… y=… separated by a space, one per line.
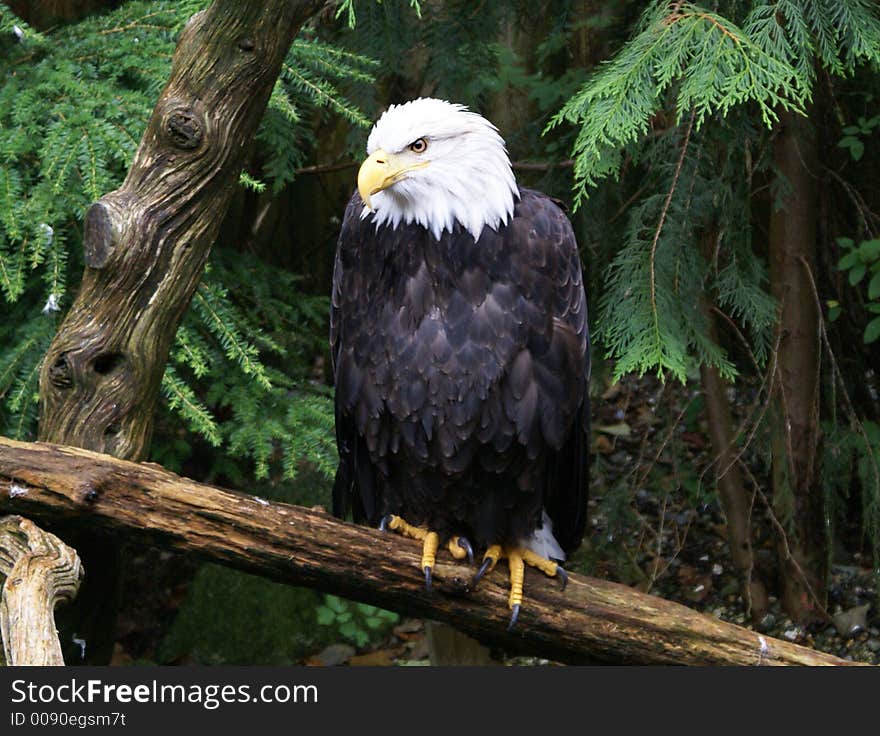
x=654 y=523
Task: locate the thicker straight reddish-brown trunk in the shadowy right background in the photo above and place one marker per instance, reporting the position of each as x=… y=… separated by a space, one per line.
x=797 y=497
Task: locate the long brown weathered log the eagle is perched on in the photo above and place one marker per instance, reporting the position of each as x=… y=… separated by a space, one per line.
x=591 y=621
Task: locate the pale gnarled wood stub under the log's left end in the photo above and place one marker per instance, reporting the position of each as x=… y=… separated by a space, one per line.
x=40 y=572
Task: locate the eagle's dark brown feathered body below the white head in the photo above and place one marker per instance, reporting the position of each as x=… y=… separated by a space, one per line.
x=461 y=373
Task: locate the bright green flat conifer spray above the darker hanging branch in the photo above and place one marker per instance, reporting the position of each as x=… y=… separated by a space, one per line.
x=703 y=61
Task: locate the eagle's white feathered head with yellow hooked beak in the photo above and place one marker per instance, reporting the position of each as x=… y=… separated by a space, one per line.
x=436 y=163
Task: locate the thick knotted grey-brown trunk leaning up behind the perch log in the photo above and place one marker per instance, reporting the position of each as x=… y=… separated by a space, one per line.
x=145 y=248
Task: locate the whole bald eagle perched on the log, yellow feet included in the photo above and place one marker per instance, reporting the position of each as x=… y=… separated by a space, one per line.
x=460 y=349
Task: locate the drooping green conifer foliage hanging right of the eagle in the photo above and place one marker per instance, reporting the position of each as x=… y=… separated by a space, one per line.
x=690 y=83
